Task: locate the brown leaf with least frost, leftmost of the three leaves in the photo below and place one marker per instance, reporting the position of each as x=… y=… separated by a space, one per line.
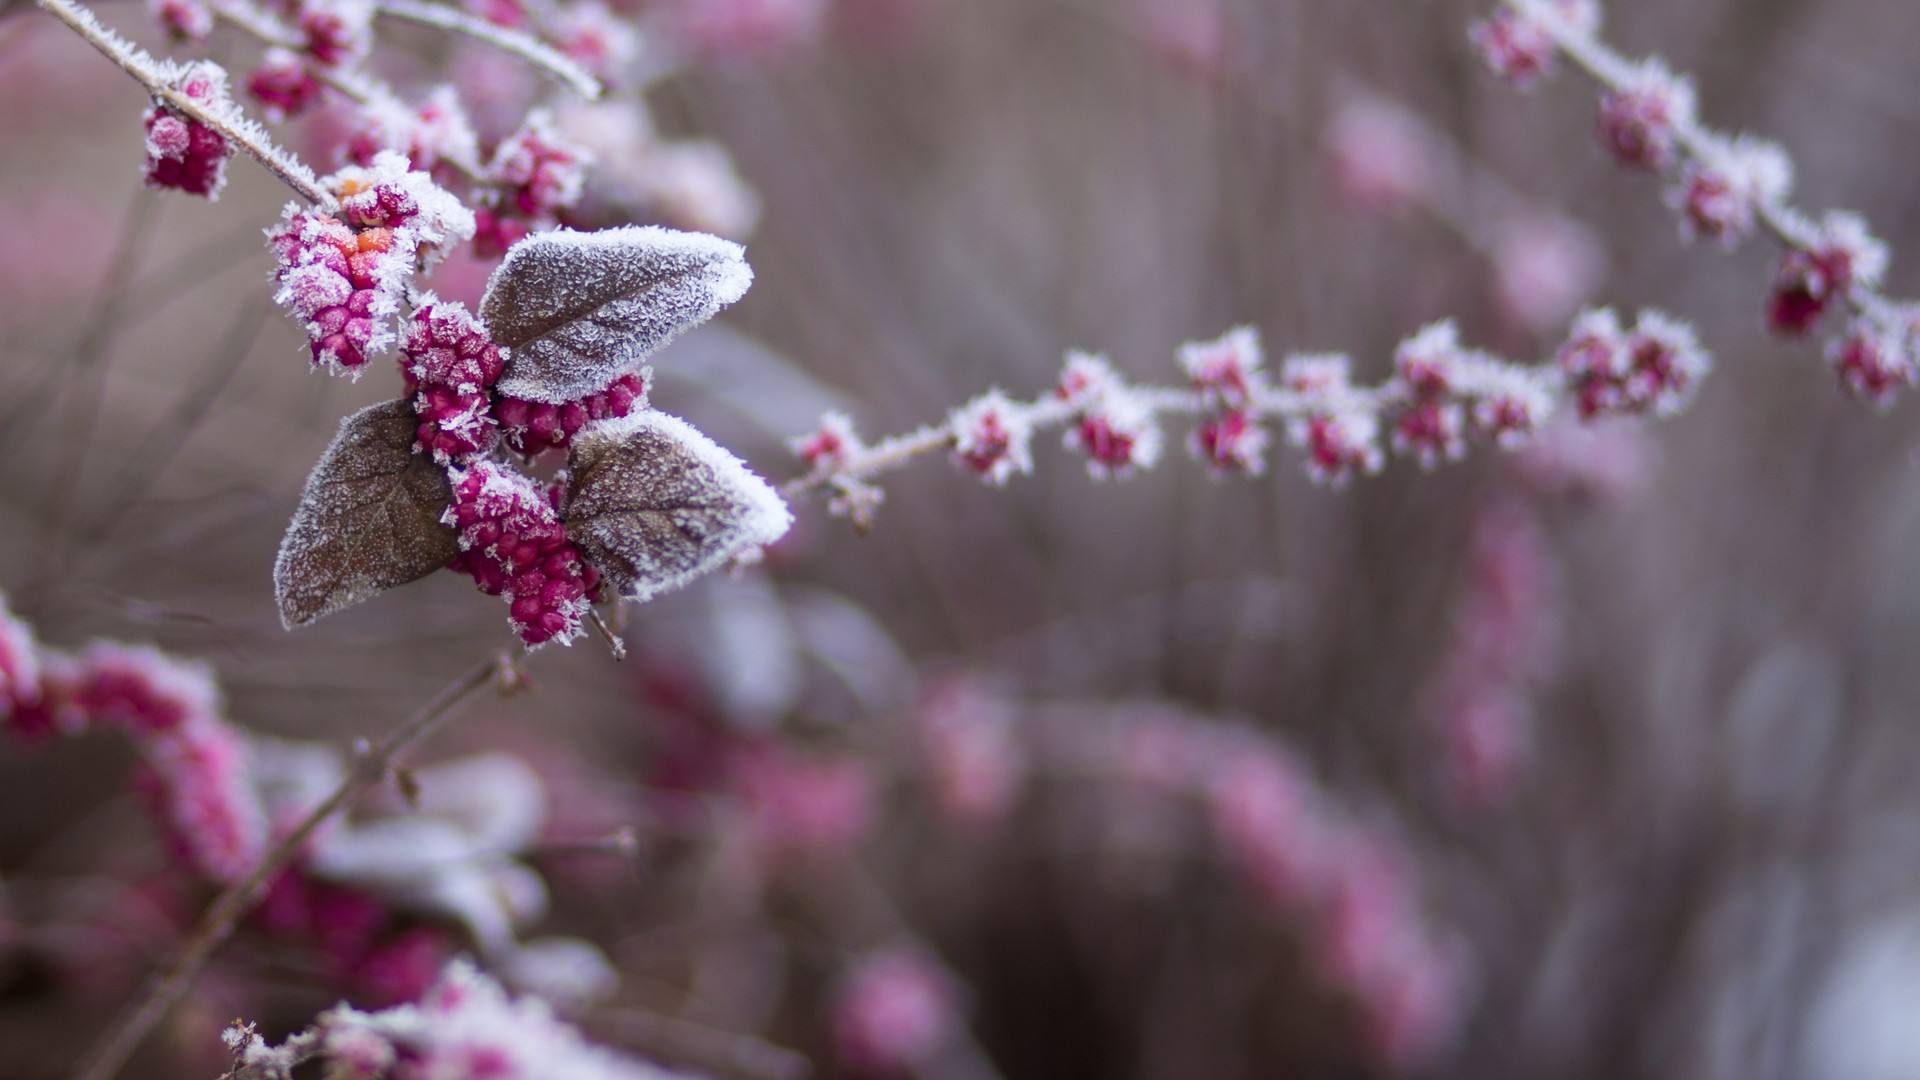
x=368 y=522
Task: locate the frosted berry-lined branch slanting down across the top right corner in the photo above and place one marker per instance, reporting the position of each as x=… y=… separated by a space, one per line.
x=1725 y=187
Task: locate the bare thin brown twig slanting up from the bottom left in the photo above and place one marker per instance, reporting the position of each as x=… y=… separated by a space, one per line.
x=166 y=987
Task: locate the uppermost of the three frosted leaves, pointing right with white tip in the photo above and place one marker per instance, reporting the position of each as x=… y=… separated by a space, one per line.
x=577 y=310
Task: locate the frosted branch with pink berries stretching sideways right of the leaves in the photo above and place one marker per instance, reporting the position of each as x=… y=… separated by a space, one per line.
x=1439 y=395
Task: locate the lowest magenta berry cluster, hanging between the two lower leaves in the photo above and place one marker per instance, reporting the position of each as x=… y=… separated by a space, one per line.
x=514 y=545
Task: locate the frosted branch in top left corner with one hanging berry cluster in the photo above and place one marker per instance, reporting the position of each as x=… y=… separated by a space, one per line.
x=199 y=95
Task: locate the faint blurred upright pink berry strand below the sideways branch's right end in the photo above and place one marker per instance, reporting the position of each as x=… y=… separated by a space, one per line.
x=1502 y=647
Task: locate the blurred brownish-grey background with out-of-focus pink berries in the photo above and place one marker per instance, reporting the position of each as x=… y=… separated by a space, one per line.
x=1591 y=760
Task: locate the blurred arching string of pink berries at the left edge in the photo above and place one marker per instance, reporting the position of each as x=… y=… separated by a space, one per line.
x=193 y=775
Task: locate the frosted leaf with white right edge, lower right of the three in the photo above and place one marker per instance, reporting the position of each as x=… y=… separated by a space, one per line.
x=656 y=504
